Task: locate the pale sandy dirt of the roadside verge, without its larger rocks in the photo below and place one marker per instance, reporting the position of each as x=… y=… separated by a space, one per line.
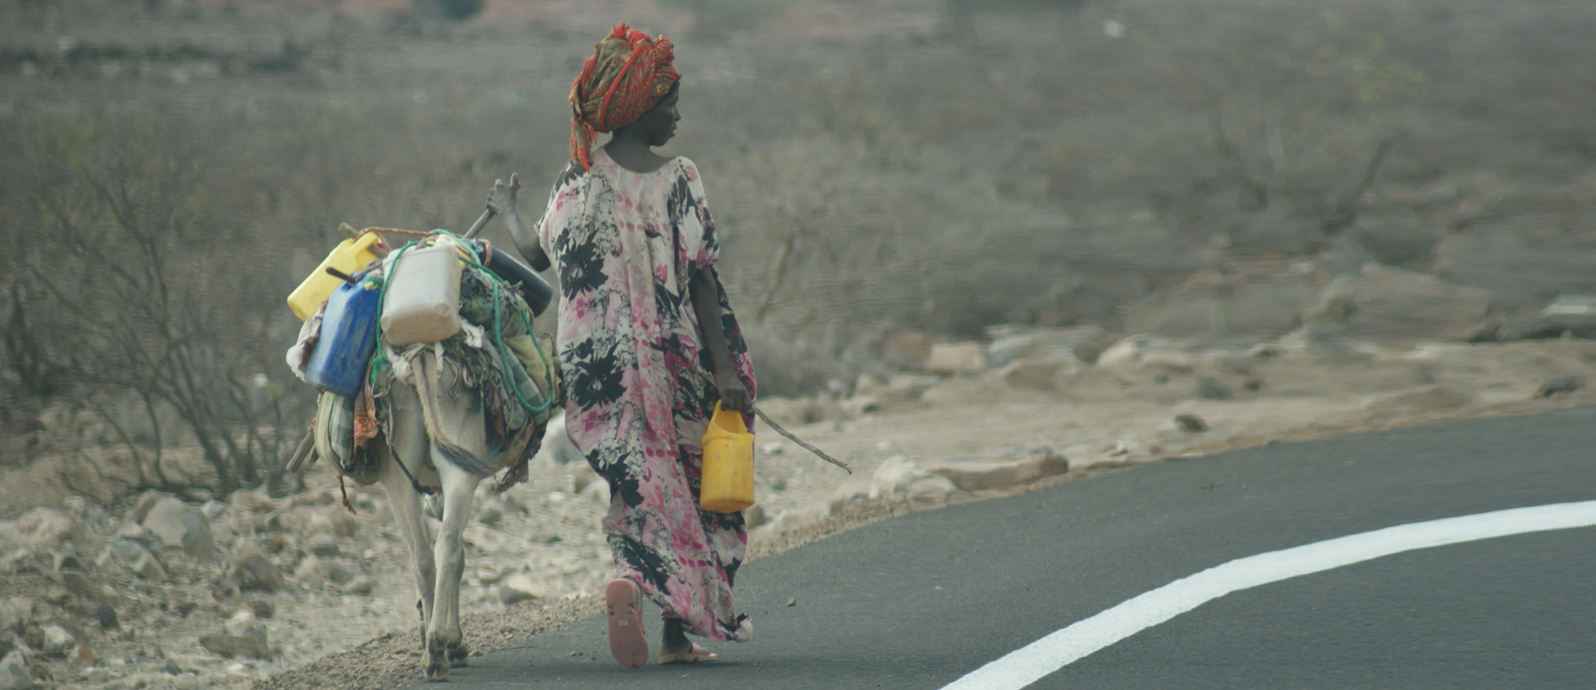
x=543 y=539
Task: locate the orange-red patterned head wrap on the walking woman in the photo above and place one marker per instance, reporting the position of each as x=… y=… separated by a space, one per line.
x=625 y=79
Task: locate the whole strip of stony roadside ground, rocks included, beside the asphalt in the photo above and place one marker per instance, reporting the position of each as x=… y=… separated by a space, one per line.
x=157 y=593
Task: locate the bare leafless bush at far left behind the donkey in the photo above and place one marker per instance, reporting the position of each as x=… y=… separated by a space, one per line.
x=135 y=277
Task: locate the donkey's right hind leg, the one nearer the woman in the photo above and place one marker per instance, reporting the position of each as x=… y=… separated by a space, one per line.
x=444 y=641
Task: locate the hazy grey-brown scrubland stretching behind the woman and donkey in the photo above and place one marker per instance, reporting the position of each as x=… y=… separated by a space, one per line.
x=170 y=170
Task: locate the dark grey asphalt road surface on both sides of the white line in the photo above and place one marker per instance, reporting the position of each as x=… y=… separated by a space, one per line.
x=920 y=601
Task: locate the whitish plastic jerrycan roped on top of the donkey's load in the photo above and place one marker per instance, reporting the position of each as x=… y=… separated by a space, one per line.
x=424 y=295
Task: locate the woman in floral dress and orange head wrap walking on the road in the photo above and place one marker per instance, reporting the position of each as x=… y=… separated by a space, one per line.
x=649 y=346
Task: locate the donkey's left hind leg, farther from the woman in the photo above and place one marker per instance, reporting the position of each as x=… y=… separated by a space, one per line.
x=408 y=443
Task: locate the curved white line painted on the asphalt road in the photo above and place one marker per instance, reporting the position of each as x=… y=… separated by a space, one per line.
x=1040 y=659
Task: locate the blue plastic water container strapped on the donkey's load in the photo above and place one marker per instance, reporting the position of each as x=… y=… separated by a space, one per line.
x=349 y=336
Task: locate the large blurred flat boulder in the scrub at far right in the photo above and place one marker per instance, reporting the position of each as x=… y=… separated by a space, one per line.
x=1388 y=303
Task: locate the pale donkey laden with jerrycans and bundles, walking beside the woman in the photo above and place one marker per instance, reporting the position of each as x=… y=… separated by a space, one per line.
x=432 y=381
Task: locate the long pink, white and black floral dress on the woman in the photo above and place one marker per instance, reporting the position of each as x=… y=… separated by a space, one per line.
x=639 y=383
